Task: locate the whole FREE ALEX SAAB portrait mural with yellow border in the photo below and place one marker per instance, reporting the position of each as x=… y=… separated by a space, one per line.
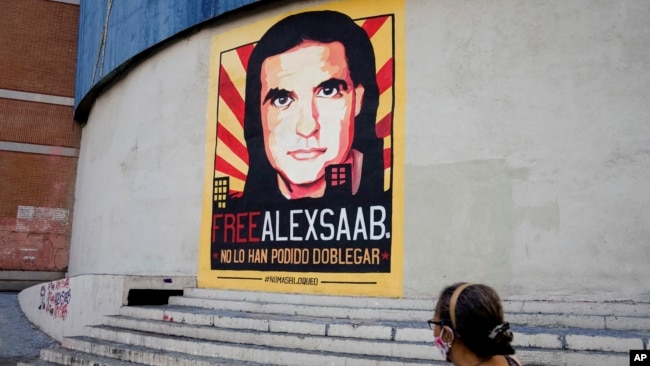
x=304 y=174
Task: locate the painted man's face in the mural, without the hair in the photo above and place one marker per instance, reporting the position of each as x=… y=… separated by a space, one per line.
x=308 y=105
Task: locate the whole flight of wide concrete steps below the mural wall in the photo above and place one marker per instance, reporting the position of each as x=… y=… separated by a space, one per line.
x=210 y=327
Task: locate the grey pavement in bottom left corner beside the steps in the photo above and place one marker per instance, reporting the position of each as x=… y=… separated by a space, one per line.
x=20 y=340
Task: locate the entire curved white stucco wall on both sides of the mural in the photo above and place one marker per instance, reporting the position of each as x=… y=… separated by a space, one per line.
x=527 y=152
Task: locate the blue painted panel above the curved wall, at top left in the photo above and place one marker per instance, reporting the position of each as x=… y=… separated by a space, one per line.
x=111 y=32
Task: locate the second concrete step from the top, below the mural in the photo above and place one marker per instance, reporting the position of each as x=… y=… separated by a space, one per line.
x=555 y=338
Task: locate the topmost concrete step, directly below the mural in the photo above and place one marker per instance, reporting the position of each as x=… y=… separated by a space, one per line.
x=621 y=316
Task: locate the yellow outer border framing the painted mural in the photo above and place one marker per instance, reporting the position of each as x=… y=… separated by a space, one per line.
x=361 y=284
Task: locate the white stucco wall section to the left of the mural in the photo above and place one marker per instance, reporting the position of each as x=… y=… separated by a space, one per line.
x=140 y=169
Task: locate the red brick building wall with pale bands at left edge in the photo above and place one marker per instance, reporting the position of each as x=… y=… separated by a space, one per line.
x=38 y=43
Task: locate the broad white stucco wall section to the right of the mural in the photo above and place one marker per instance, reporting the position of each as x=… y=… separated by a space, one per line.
x=528 y=147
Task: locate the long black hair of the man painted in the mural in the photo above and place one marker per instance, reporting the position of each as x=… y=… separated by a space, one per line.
x=322 y=27
